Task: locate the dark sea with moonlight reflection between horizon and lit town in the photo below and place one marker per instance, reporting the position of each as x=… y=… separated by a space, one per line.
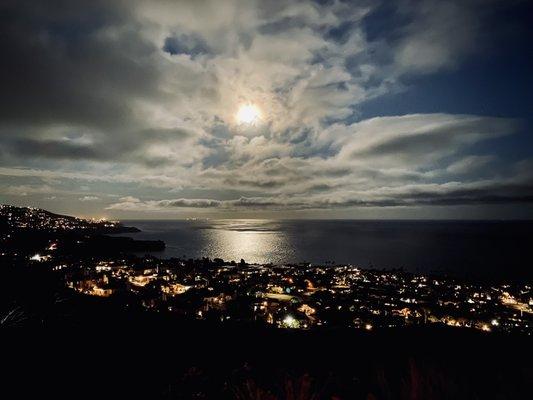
x=477 y=249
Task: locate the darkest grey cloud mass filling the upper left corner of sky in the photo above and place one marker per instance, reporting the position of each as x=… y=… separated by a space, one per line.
x=59 y=65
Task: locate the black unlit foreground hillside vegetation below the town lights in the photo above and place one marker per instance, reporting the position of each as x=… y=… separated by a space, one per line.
x=151 y=360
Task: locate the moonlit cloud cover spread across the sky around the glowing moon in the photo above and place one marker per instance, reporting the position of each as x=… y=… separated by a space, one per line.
x=133 y=106
